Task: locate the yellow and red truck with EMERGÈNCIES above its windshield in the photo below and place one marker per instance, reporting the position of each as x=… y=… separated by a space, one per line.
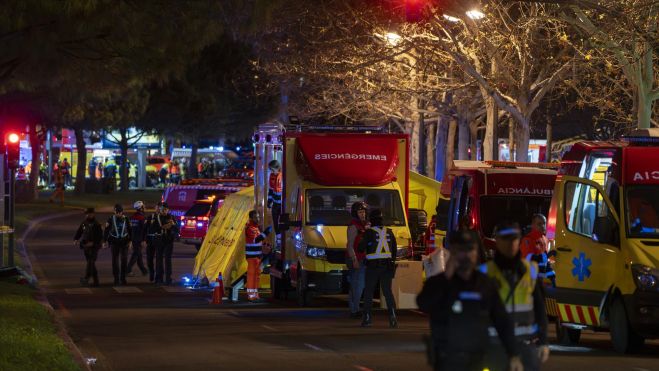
x=325 y=171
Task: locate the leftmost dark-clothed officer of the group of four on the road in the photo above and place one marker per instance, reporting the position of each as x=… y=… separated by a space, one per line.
x=89 y=238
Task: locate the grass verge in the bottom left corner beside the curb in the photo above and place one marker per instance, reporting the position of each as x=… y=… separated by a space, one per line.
x=28 y=336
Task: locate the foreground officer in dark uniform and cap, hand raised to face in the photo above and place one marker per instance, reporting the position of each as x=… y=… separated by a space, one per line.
x=462 y=302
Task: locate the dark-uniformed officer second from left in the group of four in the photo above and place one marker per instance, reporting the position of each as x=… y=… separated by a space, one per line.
x=118 y=236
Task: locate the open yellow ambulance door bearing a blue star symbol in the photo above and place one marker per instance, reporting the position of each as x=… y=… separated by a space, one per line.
x=587 y=248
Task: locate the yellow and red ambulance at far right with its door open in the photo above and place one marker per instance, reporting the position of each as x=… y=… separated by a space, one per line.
x=603 y=227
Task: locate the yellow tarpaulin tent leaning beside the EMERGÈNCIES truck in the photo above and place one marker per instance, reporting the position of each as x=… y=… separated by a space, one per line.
x=223 y=249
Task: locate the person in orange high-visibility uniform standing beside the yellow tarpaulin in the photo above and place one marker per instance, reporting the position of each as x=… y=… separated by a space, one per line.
x=253 y=253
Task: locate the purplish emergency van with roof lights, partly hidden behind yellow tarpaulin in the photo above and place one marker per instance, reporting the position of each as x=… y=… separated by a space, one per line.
x=180 y=198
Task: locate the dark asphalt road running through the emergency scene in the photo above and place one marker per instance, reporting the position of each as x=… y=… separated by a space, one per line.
x=153 y=328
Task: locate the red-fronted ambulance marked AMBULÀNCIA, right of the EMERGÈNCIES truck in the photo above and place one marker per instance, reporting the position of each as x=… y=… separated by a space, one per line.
x=478 y=194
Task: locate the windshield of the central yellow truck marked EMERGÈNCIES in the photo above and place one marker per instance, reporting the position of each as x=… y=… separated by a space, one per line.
x=332 y=206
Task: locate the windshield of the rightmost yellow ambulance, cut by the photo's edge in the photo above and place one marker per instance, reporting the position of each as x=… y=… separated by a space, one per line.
x=642 y=206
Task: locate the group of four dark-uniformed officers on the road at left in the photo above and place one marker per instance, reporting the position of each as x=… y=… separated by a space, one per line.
x=154 y=233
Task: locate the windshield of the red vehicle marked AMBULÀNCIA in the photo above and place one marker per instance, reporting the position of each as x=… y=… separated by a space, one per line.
x=519 y=209
